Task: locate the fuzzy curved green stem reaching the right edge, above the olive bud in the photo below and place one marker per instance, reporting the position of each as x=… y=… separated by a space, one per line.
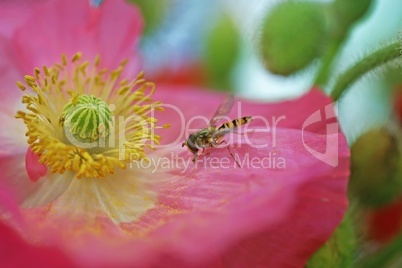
x=365 y=65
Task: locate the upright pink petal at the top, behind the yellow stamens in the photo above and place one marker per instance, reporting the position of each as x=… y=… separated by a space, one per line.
x=110 y=31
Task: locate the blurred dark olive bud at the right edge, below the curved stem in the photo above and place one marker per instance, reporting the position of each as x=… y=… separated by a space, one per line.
x=375 y=177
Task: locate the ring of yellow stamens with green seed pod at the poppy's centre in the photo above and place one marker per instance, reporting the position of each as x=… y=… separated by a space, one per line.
x=105 y=145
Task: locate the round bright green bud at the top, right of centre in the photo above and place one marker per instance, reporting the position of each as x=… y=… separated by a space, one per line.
x=292 y=36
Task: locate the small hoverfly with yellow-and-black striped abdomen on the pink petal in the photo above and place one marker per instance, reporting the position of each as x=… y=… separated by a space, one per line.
x=212 y=136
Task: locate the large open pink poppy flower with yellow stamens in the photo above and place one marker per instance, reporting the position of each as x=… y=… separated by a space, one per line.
x=158 y=212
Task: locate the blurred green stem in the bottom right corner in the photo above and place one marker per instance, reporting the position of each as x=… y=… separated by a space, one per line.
x=384 y=257
